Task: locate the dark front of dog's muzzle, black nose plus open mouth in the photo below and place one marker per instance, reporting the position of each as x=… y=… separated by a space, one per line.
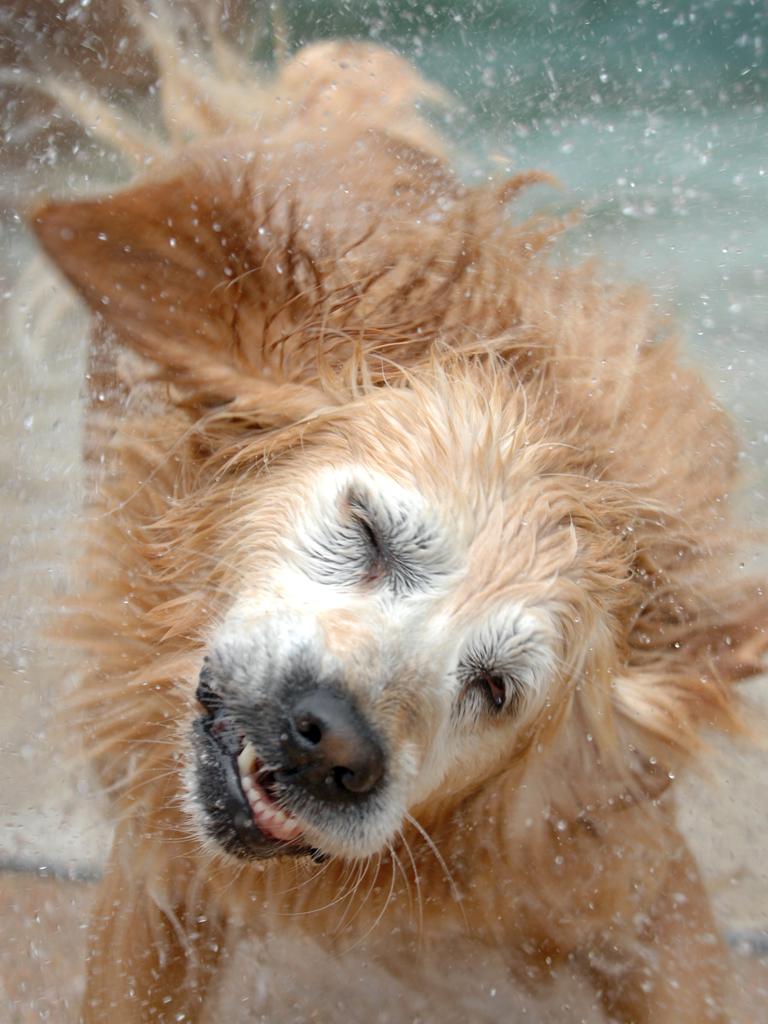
x=268 y=773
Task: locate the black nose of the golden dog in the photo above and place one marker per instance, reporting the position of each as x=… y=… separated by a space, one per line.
x=329 y=749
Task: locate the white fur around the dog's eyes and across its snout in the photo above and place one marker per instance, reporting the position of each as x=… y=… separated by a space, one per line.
x=409 y=638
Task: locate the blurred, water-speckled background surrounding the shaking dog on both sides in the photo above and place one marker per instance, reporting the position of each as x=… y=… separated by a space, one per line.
x=653 y=115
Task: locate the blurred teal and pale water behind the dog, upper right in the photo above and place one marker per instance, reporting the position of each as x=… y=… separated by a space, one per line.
x=655 y=118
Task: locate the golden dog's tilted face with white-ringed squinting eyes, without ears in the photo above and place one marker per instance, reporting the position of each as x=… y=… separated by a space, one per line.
x=412 y=599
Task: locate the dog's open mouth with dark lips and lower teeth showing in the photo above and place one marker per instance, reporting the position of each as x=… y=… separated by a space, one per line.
x=239 y=795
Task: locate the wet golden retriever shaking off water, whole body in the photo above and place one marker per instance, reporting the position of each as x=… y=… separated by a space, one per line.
x=410 y=583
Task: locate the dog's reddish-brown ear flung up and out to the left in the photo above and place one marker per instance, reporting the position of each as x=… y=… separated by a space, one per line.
x=179 y=270
